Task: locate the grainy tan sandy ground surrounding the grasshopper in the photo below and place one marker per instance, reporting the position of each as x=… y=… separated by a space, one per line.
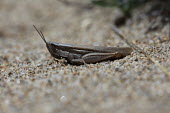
x=32 y=81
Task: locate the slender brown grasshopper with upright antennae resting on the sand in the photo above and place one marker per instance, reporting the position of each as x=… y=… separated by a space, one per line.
x=79 y=55
